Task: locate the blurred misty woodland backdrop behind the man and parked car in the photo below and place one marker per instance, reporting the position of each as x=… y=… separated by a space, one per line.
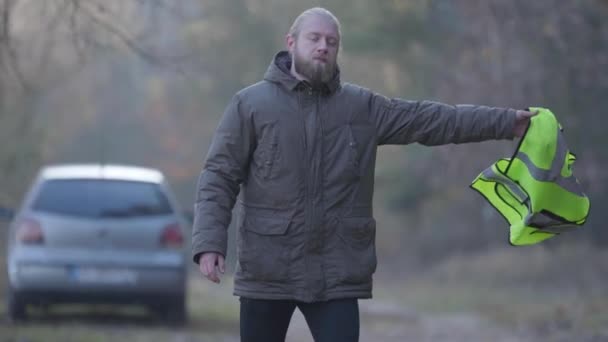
x=145 y=83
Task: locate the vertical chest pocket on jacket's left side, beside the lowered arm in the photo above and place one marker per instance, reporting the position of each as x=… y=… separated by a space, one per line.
x=267 y=154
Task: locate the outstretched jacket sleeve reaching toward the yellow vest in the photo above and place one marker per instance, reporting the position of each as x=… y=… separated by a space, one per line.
x=432 y=123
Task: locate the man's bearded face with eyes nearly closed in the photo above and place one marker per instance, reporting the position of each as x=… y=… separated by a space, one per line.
x=315 y=49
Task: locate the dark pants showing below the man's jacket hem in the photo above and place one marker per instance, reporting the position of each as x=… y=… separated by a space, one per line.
x=268 y=320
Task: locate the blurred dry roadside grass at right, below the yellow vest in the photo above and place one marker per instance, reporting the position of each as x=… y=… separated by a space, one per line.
x=539 y=289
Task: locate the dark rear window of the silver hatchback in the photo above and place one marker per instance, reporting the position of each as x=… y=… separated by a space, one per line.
x=98 y=198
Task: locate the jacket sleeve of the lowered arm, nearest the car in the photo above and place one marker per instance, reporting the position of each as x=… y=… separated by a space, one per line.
x=225 y=169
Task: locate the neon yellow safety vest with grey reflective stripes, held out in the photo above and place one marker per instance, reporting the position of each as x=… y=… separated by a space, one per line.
x=535 y=190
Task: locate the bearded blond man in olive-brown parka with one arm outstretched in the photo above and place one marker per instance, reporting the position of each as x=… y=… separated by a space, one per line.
x=299 y=149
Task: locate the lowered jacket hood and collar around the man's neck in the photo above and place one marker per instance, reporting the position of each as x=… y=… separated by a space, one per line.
x=279 y=72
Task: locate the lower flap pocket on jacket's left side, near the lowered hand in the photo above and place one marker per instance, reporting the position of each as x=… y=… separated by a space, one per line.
x=263 y=252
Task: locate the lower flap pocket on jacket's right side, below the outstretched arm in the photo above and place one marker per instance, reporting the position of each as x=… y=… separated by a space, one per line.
x=358 y=237
